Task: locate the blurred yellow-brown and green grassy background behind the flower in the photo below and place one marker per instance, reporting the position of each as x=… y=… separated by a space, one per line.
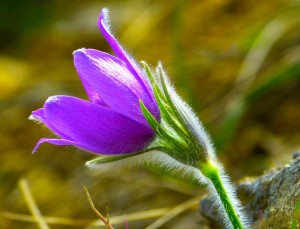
x=237 y=63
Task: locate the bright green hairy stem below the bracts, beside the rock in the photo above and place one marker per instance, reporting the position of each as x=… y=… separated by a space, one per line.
x=211 y=171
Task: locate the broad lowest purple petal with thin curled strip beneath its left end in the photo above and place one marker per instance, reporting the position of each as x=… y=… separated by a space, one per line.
x=94 y=127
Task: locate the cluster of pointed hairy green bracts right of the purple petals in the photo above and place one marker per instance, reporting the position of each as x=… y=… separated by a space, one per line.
x=173 y=133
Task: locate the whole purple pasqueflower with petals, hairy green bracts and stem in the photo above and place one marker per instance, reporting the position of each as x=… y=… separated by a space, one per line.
x=134 y=115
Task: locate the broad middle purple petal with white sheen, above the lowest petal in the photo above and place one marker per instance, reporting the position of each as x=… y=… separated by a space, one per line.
x=107 y=78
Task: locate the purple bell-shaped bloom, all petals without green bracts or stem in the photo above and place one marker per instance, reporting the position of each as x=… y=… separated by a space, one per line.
x=111 y=122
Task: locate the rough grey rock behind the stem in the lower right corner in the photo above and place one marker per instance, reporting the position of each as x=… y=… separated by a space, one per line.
x=270 y=200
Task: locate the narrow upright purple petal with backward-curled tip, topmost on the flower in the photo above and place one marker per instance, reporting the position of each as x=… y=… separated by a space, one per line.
x=103 y=25
